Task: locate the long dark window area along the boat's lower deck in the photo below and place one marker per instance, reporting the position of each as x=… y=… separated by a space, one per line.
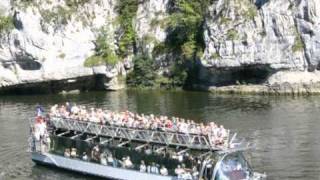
x=164 y=158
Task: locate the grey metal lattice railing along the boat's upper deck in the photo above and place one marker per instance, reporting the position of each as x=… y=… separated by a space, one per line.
x=191 y=141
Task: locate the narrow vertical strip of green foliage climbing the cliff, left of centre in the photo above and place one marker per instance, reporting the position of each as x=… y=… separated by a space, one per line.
x=127 y=11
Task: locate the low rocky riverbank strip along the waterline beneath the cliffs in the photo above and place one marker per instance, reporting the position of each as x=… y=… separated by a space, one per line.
x=90 y=84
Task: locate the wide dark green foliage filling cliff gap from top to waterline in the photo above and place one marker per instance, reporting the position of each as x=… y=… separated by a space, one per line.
x=184 y=40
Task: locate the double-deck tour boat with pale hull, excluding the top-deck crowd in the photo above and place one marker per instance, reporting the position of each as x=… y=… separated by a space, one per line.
x=102 y=150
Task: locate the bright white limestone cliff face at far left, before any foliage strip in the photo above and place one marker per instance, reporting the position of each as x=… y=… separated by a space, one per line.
x=43 y=49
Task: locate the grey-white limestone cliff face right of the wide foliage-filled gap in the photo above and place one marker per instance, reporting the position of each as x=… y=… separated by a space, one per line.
x=279 y=35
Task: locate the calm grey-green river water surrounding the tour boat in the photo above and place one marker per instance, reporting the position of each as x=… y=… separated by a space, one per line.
x=284 y=130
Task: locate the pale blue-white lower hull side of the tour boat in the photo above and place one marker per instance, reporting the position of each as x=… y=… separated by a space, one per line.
x=93 y=168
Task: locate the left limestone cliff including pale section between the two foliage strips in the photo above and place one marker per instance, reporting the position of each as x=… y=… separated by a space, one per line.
x=51 y=41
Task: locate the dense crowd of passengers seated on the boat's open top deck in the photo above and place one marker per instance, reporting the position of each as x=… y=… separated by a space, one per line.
x=218 y=134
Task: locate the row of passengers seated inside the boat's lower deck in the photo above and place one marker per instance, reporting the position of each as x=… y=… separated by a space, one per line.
x=107 y=159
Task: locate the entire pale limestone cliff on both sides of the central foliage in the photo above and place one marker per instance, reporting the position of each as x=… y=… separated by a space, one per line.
x=266 y=45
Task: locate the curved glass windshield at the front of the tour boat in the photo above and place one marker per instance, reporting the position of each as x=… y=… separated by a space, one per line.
x=233 y=167
